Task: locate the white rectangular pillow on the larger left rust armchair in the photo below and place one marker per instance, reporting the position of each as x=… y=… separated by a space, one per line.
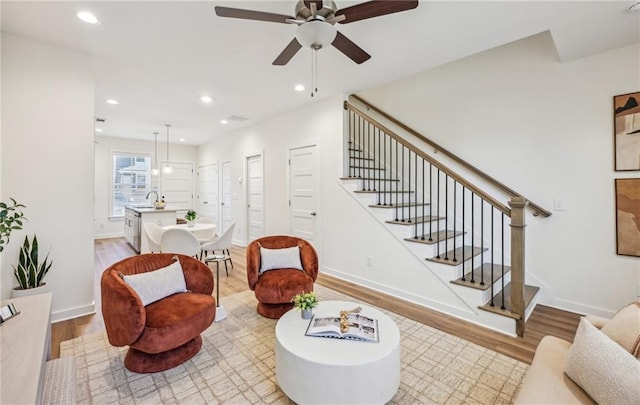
x=157 y=284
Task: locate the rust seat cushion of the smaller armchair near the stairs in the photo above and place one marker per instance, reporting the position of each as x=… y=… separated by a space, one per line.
x=280 y=286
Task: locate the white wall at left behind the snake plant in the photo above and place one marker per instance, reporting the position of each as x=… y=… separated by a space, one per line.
x=47 y=164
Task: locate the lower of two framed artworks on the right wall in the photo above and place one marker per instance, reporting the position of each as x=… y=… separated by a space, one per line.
x=628 y=217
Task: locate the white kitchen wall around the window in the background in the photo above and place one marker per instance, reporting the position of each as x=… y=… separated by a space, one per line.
x=104 y=226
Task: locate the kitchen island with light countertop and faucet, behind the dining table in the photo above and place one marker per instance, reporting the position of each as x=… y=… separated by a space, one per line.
x=136 y=216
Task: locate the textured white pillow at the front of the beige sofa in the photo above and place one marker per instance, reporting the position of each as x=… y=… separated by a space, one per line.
x=608 y=373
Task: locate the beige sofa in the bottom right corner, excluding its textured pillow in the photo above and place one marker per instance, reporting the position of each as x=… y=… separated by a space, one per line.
x=546 y=381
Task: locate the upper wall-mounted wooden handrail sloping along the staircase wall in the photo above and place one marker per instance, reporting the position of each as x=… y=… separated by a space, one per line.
x=538 y=210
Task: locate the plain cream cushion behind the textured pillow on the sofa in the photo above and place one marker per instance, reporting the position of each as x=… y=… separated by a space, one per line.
x=624 y=328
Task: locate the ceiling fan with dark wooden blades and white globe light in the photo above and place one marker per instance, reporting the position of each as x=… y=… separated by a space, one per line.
x=316 y=24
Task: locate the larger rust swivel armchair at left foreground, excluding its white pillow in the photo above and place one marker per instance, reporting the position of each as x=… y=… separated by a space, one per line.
x=164 y=333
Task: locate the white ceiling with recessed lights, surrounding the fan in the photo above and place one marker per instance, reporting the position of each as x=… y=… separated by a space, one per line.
x=158 y=58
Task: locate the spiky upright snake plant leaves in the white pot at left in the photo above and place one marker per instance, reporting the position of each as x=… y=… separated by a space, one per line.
x=30 y=272
